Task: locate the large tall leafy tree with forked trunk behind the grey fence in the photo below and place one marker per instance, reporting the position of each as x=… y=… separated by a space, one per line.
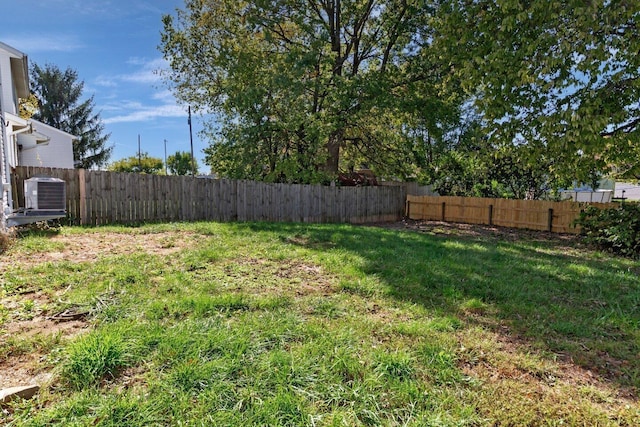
x=306 y=88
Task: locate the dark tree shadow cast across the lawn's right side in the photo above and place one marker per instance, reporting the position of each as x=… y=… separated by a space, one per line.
x=578 y=306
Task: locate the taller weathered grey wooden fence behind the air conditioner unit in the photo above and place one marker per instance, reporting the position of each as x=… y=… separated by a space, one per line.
x=99 y=197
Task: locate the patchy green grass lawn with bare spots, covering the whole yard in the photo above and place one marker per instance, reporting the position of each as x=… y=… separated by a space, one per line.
x=317 y=325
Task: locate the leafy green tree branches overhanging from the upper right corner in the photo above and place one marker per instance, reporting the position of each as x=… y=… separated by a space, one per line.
x=562 y=77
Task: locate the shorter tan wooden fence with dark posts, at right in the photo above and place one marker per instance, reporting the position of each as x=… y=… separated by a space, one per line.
x=557 y=217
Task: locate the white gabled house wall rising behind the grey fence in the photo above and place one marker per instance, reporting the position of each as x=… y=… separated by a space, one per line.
x=58 y=153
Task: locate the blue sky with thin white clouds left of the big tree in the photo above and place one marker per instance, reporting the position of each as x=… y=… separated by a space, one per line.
x=113 y=45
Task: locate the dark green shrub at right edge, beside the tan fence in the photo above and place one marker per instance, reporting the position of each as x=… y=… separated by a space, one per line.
x=613 y=229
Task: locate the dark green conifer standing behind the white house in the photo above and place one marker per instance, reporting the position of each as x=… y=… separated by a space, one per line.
x=60 y=105
